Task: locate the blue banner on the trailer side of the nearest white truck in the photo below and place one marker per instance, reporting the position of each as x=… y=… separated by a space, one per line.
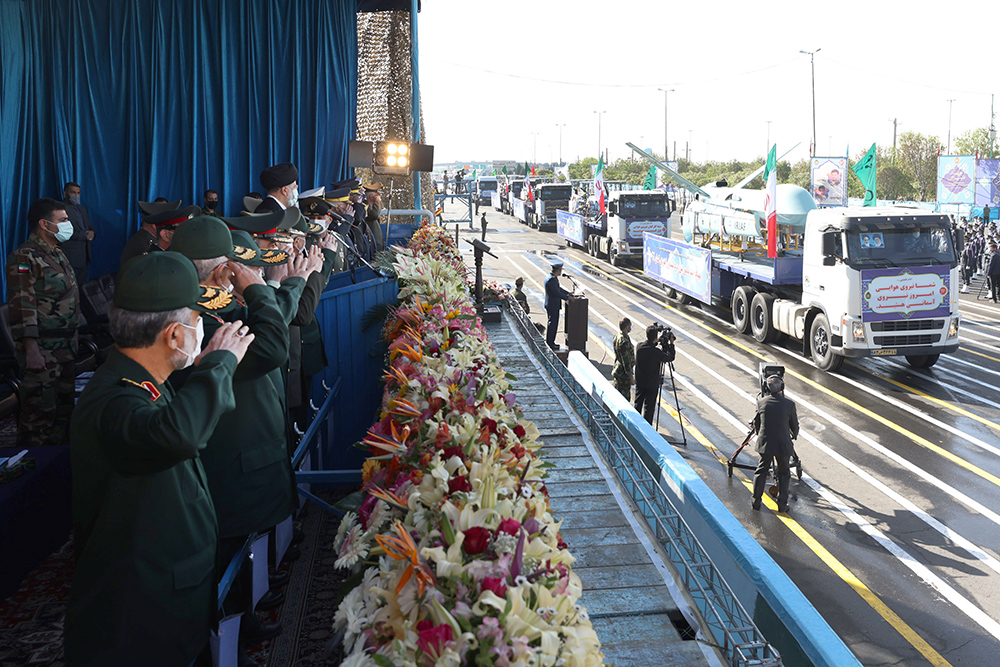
x=684 y=267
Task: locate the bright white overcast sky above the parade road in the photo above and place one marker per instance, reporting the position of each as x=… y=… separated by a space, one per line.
x=503 y=80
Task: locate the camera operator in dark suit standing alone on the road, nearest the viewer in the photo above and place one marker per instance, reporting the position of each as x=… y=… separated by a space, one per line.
x=776 y=425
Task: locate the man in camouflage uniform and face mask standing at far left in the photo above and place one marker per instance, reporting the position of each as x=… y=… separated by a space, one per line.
x=43 y=303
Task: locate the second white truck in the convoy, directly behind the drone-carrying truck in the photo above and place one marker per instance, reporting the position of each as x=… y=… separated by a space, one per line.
x=619 y=235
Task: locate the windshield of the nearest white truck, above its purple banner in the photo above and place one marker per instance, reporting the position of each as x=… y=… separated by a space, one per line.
x=914 y=245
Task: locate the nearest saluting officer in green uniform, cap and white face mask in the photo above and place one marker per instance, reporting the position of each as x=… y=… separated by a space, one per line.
x=145 y=536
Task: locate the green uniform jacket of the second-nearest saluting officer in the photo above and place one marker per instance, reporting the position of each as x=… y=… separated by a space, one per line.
x=247 y=456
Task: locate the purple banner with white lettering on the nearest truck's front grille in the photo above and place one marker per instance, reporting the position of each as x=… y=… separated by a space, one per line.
x=891 y=294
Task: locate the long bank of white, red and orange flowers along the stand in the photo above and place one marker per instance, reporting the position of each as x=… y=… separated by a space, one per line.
x=458 y=557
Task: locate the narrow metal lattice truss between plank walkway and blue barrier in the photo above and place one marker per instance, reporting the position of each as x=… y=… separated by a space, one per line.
x=728 y=623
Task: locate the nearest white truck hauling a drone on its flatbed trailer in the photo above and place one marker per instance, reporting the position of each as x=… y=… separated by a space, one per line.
x=845 y=283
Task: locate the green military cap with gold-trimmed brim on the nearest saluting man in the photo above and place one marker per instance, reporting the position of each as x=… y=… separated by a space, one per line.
x=163 y=281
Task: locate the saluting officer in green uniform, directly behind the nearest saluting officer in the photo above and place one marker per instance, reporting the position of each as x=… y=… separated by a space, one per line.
x=249 y=472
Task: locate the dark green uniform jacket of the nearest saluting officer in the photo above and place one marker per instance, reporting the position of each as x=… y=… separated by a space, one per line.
x=144 y=530
